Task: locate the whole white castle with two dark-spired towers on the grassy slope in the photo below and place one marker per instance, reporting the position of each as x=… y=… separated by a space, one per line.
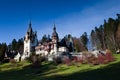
x=50 y=47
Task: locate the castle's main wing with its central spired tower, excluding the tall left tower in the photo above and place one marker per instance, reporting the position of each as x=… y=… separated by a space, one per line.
x=52 y=47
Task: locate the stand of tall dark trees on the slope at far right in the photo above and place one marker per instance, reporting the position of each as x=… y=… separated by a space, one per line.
x=107 y=35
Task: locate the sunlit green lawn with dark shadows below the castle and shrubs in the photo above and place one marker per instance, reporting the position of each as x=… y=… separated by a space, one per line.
x=49 y=71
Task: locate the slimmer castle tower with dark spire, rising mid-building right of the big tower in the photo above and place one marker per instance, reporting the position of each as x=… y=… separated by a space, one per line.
x=55 y=39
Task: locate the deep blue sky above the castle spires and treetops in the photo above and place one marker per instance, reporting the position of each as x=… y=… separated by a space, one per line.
x=70 y=16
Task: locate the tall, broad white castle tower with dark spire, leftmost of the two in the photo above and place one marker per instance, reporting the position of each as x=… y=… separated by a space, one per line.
x=30 y=41
